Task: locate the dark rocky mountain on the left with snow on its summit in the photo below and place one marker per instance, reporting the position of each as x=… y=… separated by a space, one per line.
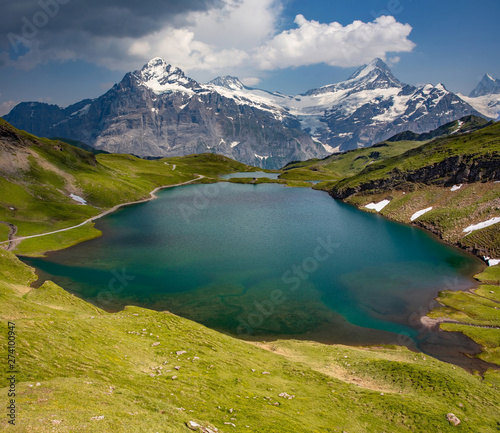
x=158 y=111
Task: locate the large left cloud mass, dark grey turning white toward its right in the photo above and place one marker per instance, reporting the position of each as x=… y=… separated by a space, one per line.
x=210 y=35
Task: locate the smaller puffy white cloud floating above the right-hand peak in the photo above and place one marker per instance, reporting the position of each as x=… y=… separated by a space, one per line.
x=334 y=44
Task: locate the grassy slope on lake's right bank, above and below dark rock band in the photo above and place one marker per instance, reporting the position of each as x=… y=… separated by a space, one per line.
x=452 y=210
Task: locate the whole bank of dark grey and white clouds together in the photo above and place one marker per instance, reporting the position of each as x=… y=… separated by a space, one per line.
x=239 y=37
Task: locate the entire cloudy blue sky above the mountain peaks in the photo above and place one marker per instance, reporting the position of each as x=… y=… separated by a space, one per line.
x=68 y=50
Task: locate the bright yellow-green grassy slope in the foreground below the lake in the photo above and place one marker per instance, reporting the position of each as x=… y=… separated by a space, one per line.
x=69 y=353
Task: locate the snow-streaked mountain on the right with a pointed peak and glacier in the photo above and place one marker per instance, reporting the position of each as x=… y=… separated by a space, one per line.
x=372 y=105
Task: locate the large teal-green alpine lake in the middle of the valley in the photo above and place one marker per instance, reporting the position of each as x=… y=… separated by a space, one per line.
x=263 y=260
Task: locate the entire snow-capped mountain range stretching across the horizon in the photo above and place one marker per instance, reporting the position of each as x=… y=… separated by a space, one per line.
x=159 y=111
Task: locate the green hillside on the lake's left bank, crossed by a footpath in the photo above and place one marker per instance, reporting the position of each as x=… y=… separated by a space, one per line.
x=39 y=174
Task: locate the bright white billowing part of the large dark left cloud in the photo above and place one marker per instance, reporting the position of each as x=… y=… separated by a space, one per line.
x=214 y=40
